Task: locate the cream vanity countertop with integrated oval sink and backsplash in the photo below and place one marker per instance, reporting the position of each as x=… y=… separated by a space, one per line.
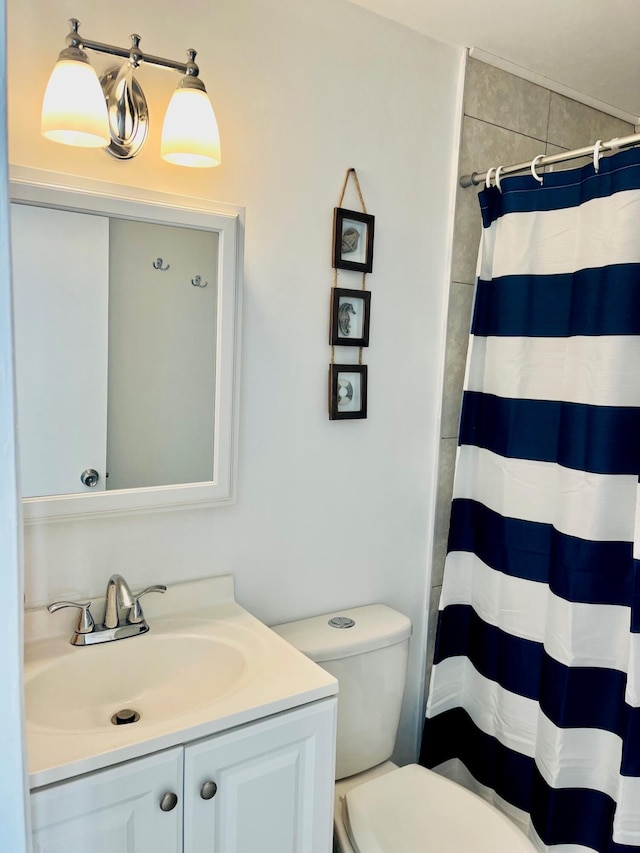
x=205 y=666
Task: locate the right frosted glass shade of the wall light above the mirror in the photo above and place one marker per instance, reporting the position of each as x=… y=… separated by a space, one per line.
x=190 y=135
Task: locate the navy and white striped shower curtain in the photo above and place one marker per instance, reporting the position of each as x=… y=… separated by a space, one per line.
x=535 y=690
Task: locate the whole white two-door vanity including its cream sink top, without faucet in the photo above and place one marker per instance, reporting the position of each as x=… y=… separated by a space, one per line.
x=233 y=750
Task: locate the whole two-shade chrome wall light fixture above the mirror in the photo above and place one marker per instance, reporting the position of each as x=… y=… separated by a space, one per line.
x=111 y=111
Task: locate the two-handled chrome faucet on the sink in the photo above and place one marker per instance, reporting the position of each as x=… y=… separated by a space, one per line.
x=123 y=616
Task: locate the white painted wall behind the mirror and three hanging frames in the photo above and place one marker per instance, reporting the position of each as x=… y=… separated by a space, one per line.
x=329 y=514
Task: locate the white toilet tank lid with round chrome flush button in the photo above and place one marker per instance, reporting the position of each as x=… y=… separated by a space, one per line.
x=375 y=626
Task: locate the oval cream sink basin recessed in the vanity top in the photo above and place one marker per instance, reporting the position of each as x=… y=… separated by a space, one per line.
x=159 y=675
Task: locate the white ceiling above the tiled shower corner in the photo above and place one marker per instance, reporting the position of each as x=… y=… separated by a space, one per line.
x=590 y=46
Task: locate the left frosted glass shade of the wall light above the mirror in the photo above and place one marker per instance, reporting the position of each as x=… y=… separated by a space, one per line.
x=74 y=111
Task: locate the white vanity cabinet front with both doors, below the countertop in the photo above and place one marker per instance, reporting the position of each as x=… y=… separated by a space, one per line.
x=265 y=787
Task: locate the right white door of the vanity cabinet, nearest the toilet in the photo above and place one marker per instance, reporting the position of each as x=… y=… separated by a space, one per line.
x=274 y=784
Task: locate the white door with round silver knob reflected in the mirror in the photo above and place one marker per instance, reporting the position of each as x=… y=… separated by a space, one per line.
x=60 y=265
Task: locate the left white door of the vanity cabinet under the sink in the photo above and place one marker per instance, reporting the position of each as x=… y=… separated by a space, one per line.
x=112 y=811
